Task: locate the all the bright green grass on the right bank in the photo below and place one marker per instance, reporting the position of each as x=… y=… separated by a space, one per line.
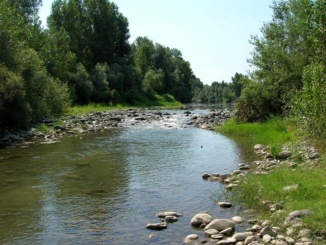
x=310 y=179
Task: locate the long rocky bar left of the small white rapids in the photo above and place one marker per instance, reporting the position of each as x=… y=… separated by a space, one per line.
x=77 y=125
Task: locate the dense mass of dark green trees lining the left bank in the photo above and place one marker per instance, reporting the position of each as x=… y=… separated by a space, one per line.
x=83 y=56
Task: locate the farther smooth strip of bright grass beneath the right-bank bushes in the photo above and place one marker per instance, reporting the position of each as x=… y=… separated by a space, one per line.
x=273 y=132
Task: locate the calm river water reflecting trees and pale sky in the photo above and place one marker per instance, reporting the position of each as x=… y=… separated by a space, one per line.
x=103 y=188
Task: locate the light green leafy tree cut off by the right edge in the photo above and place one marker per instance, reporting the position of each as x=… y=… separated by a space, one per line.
x=309 y=104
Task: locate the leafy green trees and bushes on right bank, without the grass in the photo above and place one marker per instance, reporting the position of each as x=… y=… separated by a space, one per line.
x=290 y=66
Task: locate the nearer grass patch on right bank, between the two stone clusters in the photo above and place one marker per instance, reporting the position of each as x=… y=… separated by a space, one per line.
x=309 y=194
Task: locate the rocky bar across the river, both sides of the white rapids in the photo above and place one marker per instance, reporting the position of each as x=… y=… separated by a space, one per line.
x=101 y=121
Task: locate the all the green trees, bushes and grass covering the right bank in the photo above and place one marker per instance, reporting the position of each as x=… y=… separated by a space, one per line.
x=283 y=102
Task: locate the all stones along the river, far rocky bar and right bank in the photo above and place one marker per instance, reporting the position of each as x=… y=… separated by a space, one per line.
x=259 y=231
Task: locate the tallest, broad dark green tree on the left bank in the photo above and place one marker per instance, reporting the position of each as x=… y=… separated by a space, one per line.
x=97 y=33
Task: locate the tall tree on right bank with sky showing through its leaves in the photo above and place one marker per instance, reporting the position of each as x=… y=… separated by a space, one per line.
x=284 y=49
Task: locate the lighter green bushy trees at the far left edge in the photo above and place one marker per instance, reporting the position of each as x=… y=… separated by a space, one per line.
x=27 y=91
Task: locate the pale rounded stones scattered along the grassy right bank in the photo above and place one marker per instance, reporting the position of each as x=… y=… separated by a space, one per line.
x=292 y=231
